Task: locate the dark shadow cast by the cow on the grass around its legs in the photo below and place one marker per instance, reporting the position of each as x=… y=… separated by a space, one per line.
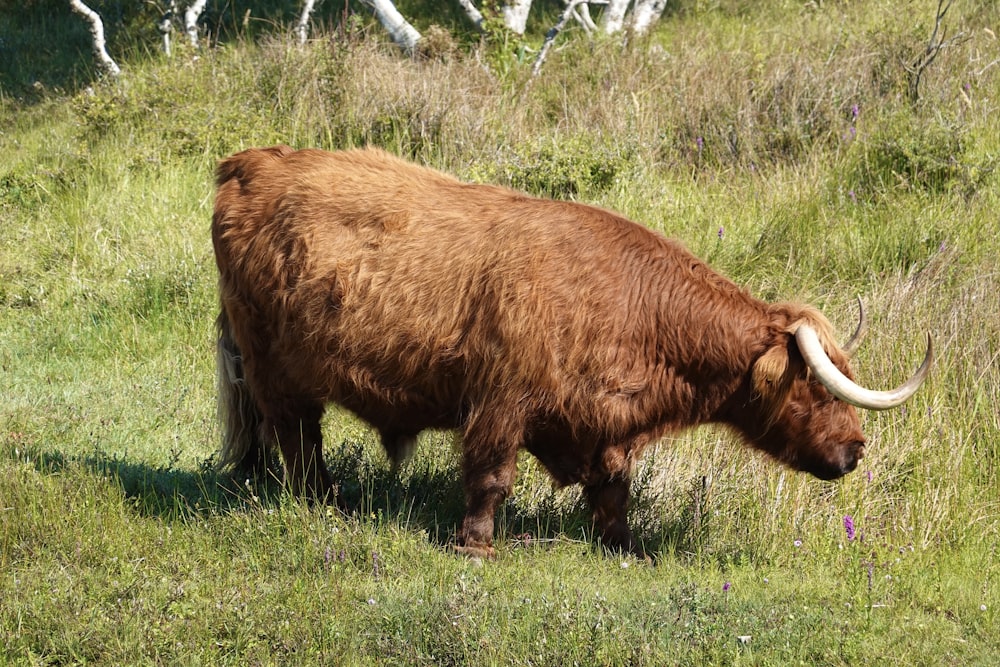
x=424 y=496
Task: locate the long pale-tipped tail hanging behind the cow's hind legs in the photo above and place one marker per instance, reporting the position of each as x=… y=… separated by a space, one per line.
x=242 y=452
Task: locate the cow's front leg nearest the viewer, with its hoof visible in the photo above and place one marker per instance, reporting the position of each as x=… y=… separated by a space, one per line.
x=489 y=467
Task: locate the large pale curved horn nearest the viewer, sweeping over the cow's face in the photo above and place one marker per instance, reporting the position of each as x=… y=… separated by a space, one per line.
x=846 y=389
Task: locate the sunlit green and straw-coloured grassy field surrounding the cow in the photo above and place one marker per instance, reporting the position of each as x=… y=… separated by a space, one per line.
x=778 y=140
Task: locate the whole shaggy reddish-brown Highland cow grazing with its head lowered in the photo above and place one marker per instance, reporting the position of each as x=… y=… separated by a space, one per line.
x=418 y=301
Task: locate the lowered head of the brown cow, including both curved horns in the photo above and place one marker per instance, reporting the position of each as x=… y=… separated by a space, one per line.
x=806 y=399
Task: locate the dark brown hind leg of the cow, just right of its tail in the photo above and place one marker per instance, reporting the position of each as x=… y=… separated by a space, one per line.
x=300 y=440
